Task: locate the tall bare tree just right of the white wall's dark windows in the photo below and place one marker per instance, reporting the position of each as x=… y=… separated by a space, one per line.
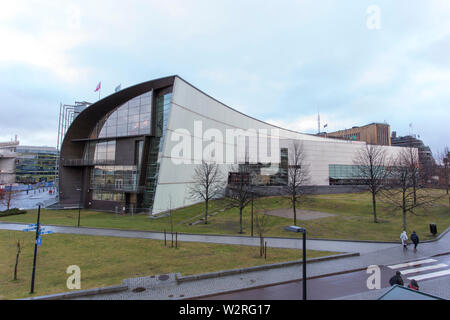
x=298 y=175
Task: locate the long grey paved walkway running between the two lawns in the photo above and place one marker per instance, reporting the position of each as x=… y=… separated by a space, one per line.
x=293 y=243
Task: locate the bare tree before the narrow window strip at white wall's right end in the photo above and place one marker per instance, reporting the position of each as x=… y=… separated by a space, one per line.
x=371 y=164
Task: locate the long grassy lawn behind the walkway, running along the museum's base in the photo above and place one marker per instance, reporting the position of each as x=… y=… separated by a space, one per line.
x=353 y=219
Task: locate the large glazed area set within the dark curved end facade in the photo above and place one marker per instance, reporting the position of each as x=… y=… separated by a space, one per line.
x=110 y=181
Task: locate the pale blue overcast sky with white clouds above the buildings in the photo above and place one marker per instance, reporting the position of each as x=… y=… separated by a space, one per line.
x=355 y=62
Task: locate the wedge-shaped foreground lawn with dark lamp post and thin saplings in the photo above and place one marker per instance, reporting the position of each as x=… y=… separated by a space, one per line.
x=107 y=261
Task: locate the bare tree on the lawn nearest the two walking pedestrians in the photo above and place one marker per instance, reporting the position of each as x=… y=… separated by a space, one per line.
x=402 y=191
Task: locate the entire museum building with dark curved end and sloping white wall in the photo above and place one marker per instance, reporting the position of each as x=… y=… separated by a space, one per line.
x=119 y=152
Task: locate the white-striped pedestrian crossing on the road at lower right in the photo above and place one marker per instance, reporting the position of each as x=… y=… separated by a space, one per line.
x=422 y=269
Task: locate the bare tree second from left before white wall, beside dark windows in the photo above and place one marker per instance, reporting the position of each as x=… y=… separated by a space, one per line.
x=239 y=190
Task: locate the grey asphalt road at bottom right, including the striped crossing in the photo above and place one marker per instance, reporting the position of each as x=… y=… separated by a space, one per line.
x=341 y=285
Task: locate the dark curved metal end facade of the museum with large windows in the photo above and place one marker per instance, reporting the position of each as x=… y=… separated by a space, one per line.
x=133 y=154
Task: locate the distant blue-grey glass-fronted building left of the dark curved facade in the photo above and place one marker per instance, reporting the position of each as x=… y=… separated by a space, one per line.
x=36 y=164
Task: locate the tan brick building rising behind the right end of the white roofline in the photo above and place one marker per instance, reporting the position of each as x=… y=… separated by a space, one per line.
x=374 y=133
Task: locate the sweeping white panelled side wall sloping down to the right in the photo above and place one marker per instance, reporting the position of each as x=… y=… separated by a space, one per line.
x=190 y=105
